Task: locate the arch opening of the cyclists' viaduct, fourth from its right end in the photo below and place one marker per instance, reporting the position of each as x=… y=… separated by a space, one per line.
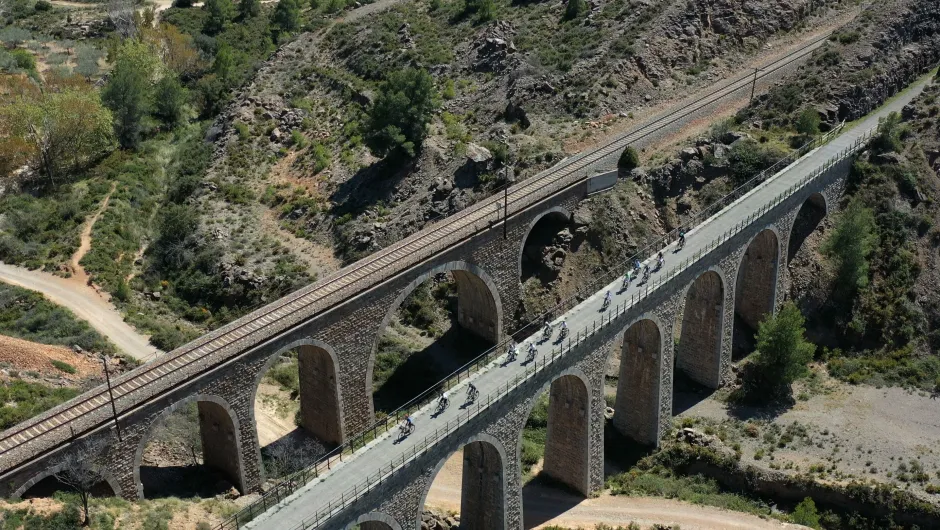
x=637 y=408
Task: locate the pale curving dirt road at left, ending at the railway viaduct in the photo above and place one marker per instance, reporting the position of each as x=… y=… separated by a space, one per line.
x=87 y=304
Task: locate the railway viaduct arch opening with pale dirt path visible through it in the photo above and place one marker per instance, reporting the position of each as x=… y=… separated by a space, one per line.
x=297 y=410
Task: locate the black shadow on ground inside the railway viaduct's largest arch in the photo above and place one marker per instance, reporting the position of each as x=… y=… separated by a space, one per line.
x=424 y=368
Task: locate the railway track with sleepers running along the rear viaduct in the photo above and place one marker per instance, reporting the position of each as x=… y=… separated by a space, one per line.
x=92 y=410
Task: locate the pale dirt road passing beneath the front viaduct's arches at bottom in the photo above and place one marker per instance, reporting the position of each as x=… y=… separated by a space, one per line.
x=546 y=507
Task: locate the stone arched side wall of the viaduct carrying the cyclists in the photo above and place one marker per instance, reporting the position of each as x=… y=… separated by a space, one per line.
x=401 y=495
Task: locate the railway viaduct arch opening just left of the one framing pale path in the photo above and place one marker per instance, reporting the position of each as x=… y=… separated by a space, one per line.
x=192 y=451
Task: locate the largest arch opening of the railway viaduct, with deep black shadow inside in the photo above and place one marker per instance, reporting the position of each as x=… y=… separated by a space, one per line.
x=446 y=321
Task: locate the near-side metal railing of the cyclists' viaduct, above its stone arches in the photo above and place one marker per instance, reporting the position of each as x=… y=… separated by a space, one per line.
x=351 y=495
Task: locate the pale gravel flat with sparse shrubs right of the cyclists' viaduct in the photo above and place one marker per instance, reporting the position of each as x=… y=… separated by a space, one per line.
x=861 y=432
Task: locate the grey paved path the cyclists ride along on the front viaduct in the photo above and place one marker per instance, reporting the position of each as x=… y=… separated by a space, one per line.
x=291 y=512
